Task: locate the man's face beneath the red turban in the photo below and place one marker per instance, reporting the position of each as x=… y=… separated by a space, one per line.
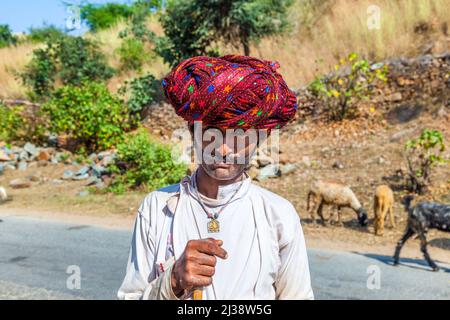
x=224 y=153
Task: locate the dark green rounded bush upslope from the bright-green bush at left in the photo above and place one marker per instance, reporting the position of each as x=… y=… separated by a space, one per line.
x=69 y=60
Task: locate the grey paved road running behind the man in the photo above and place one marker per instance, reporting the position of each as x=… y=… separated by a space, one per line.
x=35 y=256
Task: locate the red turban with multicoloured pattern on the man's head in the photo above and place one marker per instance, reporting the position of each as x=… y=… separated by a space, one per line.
x=230 y=92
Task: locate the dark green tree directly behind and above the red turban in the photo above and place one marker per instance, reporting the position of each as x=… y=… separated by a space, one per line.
x=193 y=27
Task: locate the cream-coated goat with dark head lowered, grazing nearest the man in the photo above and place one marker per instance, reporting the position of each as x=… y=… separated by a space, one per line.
x=341 y=196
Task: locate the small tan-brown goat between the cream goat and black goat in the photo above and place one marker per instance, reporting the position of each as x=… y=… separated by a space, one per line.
x=383 y=202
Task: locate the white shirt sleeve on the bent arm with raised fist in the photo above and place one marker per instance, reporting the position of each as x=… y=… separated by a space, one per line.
x=141 y=280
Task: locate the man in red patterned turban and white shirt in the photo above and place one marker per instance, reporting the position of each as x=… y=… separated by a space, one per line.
x=216 y=234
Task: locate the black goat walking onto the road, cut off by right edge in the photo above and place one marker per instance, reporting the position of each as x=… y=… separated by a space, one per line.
x=421 y=217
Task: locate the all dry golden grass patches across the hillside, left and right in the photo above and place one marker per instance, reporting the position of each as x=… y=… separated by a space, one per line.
x=323 y=32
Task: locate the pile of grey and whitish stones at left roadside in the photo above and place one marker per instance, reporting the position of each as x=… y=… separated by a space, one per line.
x=30 y=156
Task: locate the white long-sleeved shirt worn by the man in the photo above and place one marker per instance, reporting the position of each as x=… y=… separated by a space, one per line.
x=261 y=232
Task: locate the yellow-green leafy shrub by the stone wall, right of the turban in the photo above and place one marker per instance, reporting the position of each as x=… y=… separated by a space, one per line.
x=352 y=82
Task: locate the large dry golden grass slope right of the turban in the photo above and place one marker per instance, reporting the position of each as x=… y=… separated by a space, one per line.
x=342 y=29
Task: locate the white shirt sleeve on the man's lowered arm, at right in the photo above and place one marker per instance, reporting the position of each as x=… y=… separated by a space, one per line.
x=293 y=280
